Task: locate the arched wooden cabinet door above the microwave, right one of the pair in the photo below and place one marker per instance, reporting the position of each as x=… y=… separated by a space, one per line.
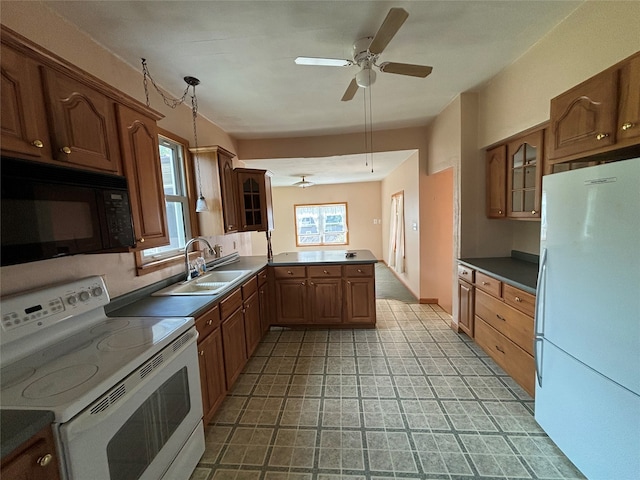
x=82 y=122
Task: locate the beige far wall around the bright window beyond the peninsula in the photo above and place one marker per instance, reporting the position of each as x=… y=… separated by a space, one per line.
x=363 y=205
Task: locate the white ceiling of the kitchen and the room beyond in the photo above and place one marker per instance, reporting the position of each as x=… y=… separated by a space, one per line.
x=243 y=53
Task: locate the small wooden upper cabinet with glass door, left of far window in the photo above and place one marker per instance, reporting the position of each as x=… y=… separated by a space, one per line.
x=254 y=199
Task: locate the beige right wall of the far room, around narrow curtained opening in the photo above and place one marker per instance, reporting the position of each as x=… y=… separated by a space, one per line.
x=405 y=178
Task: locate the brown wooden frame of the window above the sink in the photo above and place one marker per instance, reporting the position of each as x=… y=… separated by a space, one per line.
x=146 y=265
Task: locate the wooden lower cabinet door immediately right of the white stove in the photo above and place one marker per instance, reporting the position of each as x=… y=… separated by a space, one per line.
x=212 y=375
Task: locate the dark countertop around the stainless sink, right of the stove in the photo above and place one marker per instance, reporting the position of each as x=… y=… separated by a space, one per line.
x=142 y=304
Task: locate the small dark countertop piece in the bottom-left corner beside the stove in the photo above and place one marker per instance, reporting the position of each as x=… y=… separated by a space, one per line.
x=18 y=426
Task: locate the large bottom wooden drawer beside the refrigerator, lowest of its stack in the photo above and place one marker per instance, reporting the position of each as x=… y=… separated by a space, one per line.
x=513 y=360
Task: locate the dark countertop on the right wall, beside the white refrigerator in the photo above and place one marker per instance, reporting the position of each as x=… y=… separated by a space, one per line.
x=520 y=273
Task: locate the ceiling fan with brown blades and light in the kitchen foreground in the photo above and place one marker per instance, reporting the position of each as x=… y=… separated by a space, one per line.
x=366 y=52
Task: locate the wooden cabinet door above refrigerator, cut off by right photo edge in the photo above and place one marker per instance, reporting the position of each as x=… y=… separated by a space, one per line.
x=629 y=106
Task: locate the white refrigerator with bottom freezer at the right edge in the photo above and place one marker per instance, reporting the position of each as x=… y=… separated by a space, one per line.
x=587 y=333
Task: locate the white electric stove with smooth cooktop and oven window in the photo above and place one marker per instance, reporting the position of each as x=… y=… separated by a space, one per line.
x=60 y=352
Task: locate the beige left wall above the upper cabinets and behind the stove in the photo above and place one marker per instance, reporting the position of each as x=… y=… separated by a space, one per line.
x=34 y=21
